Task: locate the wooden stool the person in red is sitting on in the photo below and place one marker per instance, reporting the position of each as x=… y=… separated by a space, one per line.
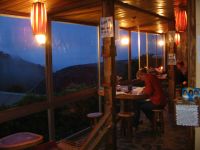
x=158 y=121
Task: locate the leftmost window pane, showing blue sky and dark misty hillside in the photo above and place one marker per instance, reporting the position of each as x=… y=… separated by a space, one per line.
x=22 y=70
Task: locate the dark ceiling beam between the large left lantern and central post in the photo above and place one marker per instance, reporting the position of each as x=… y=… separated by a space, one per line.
x=82 y=4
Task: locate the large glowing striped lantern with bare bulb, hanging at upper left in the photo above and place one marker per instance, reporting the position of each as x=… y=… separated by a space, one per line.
x=39 y=21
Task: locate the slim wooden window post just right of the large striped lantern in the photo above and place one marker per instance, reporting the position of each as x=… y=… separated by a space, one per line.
x=49 y=80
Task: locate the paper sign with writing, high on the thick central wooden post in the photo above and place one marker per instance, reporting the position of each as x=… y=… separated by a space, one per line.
x=106 y=27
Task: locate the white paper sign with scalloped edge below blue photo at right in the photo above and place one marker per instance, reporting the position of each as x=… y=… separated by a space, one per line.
x=187 y=115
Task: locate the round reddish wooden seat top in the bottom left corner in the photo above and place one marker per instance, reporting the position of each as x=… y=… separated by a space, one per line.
x=20 y=140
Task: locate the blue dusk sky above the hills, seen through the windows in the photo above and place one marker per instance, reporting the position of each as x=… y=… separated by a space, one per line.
x=72 y=43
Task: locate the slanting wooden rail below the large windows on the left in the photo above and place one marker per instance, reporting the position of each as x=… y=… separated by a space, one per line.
x=58 y=101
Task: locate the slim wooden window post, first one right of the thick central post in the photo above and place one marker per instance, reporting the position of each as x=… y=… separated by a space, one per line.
x=129 y=58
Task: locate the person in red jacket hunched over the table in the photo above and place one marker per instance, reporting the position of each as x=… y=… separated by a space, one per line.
x=156 y=98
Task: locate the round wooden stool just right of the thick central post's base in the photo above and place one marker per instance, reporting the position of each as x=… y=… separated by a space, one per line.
x=126 y=123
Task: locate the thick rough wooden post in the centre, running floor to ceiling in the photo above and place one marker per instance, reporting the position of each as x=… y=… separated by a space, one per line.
x=109 y=53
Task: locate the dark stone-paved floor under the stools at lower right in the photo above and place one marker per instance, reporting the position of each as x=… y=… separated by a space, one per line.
x=174 y=138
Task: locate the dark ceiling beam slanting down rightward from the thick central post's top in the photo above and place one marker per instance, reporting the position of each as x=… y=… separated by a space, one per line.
x=122 y=4
